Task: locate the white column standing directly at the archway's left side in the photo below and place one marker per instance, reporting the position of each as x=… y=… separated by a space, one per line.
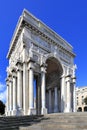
x=43 y=89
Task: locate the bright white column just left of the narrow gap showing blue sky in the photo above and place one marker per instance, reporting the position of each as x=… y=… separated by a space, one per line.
x=31 y=87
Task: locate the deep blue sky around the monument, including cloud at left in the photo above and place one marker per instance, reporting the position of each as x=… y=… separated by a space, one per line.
x=67 y=17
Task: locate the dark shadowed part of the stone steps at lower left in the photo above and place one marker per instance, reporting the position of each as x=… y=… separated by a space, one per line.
x=15 y=122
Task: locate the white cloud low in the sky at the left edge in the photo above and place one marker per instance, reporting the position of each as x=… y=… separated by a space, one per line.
x=2 y=92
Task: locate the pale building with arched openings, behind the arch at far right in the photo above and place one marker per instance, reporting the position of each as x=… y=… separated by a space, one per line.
x=81 y=94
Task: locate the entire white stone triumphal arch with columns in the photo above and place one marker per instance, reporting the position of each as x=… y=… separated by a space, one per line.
x=41 y=71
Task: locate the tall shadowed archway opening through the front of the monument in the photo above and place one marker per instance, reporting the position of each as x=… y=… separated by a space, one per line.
x=53 y=88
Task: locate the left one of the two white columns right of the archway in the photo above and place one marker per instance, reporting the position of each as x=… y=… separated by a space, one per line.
x=68 y=80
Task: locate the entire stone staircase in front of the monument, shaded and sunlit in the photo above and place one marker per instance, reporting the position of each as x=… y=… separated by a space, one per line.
x=60 y=121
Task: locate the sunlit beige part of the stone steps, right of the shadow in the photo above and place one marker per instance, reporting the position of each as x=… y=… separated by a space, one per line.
x=60 y=121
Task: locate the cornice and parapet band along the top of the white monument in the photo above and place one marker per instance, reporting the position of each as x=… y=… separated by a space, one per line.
x=27 y=20
